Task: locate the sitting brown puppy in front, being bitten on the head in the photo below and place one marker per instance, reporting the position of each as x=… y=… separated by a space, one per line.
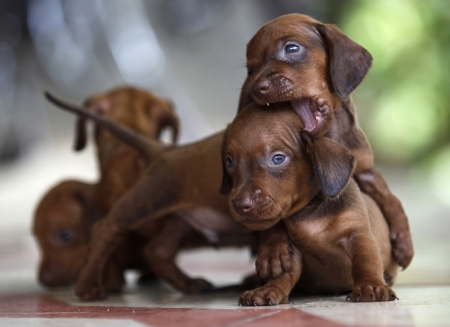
x=275 y=171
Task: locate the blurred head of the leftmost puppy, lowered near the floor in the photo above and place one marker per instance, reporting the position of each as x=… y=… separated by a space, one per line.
x=61 y=230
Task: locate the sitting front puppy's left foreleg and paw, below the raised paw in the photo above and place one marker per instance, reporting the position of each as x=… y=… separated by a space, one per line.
x=275 y=291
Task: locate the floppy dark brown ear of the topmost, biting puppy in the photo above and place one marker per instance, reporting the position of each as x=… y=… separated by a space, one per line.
x=349 y=62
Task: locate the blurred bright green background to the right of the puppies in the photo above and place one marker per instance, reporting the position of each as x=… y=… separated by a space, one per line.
x=404 y=103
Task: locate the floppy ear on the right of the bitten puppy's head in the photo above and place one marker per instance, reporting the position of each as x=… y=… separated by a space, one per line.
x=333 y=164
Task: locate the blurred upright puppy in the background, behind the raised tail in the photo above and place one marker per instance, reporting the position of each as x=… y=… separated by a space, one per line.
x=121 y=165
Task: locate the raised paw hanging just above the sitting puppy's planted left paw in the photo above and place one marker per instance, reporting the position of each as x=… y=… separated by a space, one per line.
x=273 y=261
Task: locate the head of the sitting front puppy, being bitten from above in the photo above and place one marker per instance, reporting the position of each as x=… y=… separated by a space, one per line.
x=266 y=175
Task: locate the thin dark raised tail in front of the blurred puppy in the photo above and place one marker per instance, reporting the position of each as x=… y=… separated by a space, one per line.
x=146 y=147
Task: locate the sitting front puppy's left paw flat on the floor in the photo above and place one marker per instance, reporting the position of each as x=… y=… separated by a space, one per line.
x=265 y=295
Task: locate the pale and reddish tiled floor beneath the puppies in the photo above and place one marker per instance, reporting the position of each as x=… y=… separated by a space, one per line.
x=23 y=302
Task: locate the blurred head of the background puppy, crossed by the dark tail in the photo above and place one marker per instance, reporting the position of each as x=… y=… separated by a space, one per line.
x=135 y=108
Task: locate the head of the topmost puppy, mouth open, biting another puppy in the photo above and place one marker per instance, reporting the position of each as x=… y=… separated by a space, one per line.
x=313 y=66
